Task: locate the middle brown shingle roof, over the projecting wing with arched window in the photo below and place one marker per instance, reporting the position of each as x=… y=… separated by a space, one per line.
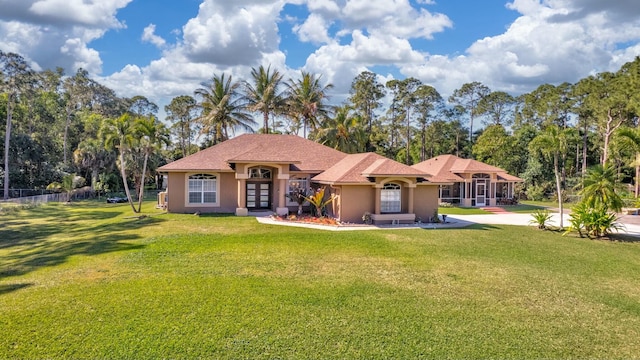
x=355 y=168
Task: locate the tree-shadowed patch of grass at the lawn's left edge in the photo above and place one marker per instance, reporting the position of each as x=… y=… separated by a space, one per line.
x=60 y=234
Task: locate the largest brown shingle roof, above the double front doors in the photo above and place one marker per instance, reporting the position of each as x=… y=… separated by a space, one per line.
x=302 y=154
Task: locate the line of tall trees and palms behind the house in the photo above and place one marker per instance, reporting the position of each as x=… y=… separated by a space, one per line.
x=57 y=124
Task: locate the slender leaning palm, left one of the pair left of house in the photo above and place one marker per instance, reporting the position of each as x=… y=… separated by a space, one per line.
x=119 y=134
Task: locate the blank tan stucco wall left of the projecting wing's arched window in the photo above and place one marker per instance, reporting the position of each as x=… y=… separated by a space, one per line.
x=354 y=202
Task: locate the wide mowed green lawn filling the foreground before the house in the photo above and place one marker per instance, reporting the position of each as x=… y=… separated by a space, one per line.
x=87 y=281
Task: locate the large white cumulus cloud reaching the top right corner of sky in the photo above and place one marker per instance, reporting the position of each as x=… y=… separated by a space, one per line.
x=541 y=47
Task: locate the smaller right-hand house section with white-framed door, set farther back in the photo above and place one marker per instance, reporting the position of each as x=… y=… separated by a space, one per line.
x=471 y=182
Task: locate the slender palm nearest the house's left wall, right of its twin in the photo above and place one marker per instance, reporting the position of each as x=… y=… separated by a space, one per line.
x=152 y=134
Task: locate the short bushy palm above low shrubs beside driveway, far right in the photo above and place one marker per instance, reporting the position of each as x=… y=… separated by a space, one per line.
x=599 y=188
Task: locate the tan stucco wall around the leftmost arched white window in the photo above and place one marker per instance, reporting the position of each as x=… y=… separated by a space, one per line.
x=228 y=187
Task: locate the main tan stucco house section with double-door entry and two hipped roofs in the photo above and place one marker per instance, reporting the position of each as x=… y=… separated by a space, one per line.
x=255 y=172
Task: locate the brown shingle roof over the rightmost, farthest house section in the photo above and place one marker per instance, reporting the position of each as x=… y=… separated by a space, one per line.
x=446 y=167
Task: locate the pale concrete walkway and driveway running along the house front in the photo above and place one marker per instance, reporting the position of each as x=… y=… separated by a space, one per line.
x=455 y=221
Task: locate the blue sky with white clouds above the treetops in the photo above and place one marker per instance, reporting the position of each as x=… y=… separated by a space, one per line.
x=166 y=48
